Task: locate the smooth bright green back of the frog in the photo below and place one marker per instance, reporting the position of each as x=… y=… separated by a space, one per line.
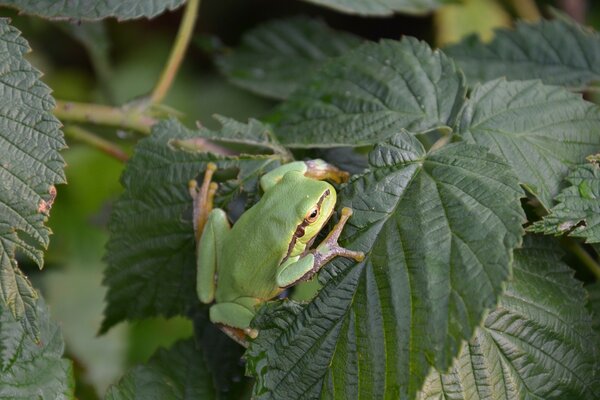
x=262 y=233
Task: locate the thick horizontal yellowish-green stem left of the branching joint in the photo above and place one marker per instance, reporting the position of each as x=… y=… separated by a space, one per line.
x=124 y=118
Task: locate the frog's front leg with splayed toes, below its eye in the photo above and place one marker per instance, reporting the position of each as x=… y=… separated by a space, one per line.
x=301 y=268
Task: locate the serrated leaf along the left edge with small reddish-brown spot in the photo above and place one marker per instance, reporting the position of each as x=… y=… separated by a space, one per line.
x=30 y=166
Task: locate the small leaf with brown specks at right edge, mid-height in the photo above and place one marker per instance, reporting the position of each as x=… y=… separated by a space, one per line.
x=578 y=211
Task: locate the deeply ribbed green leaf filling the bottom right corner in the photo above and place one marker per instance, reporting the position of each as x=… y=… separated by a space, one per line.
x=537 y=344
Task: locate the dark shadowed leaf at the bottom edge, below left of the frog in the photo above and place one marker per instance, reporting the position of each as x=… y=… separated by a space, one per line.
x=175 y=374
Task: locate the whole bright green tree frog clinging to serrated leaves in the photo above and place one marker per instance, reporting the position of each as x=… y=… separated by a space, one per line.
x=268 y=249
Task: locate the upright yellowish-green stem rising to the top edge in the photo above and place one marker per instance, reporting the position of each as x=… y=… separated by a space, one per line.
x=176 y=57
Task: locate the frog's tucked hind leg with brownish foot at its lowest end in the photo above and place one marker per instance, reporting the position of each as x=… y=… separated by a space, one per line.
x=234 y=320
